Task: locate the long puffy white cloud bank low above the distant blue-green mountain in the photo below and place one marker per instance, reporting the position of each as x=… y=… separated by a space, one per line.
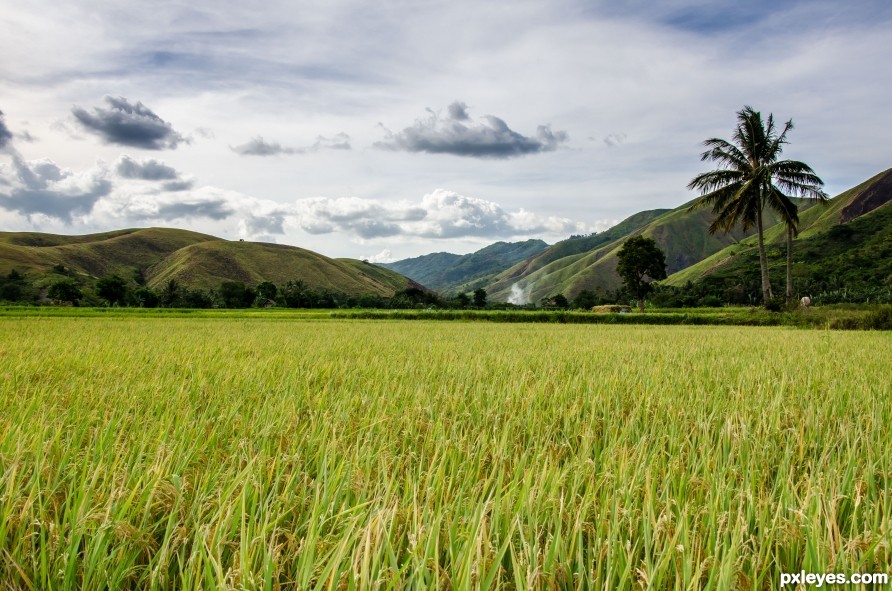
x=441 y=214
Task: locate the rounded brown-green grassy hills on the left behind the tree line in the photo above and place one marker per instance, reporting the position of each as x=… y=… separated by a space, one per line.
x=194 y=260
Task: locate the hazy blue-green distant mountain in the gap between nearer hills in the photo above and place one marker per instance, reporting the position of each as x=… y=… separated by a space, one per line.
x=446 y=272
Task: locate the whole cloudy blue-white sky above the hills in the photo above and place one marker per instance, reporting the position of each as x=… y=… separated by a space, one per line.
x=391 y=129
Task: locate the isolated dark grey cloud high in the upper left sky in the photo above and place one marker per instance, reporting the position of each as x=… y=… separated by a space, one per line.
x=129 y=124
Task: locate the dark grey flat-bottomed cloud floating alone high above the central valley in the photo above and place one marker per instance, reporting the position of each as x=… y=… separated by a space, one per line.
x=458 y=135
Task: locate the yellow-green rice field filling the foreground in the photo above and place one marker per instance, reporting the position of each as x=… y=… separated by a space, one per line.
x=251 y=453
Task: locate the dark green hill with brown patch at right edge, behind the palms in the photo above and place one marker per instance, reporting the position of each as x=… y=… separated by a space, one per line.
x=846 y=243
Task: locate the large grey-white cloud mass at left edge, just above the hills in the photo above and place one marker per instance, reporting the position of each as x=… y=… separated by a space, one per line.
x=41 y=188
